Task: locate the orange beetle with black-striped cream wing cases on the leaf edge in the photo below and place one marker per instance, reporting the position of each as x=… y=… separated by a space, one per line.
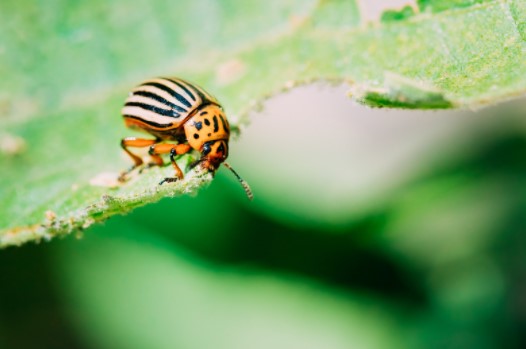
x=172 y=109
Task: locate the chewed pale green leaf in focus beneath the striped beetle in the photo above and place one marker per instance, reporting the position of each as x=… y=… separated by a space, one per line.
x=65 y=74
